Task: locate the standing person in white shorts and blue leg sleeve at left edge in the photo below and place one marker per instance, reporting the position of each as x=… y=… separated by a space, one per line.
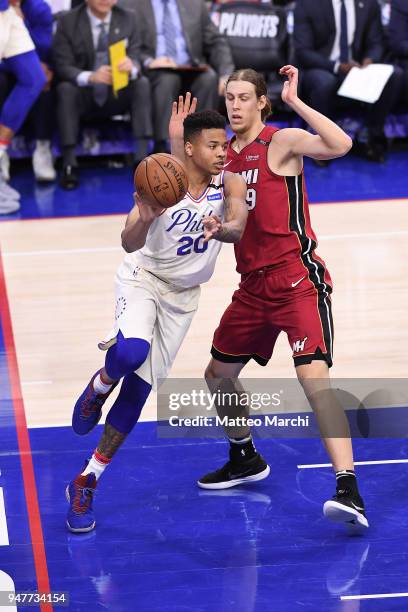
x=18 y=56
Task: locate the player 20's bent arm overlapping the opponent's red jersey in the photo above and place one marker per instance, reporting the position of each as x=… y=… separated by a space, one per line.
x=236 y=212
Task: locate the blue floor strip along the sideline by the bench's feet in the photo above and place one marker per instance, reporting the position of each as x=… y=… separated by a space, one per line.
x=108 y=191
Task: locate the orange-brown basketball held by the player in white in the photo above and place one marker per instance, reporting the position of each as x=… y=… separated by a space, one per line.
x=161 y=179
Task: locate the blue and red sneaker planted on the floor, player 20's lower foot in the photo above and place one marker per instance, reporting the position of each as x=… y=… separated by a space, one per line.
x=79 y=493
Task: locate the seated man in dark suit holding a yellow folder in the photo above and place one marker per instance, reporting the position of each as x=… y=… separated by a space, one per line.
x=82 y=66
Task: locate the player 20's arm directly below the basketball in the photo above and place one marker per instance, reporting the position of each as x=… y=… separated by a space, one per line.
x=138 y=223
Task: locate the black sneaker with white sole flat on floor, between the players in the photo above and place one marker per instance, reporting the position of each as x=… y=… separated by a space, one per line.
x=235 y=473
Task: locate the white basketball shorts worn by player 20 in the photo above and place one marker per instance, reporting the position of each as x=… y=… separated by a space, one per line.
x=151 y=309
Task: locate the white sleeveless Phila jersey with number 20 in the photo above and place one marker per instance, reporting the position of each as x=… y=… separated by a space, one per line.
x=175 y=250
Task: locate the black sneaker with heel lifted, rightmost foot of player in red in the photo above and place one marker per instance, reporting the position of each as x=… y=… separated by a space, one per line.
x=346 y=507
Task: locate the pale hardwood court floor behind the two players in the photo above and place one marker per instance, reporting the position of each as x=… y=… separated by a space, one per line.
x=59 y=275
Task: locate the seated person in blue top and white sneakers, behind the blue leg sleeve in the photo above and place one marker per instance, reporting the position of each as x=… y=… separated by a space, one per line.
x=38 y=20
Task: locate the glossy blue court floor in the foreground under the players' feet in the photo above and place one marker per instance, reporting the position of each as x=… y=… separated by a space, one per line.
x=163 y=544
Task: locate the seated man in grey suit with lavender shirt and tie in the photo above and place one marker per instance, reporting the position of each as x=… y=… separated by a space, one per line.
x=180 y=32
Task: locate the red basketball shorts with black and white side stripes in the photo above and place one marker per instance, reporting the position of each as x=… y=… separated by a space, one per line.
x=293 y=298
